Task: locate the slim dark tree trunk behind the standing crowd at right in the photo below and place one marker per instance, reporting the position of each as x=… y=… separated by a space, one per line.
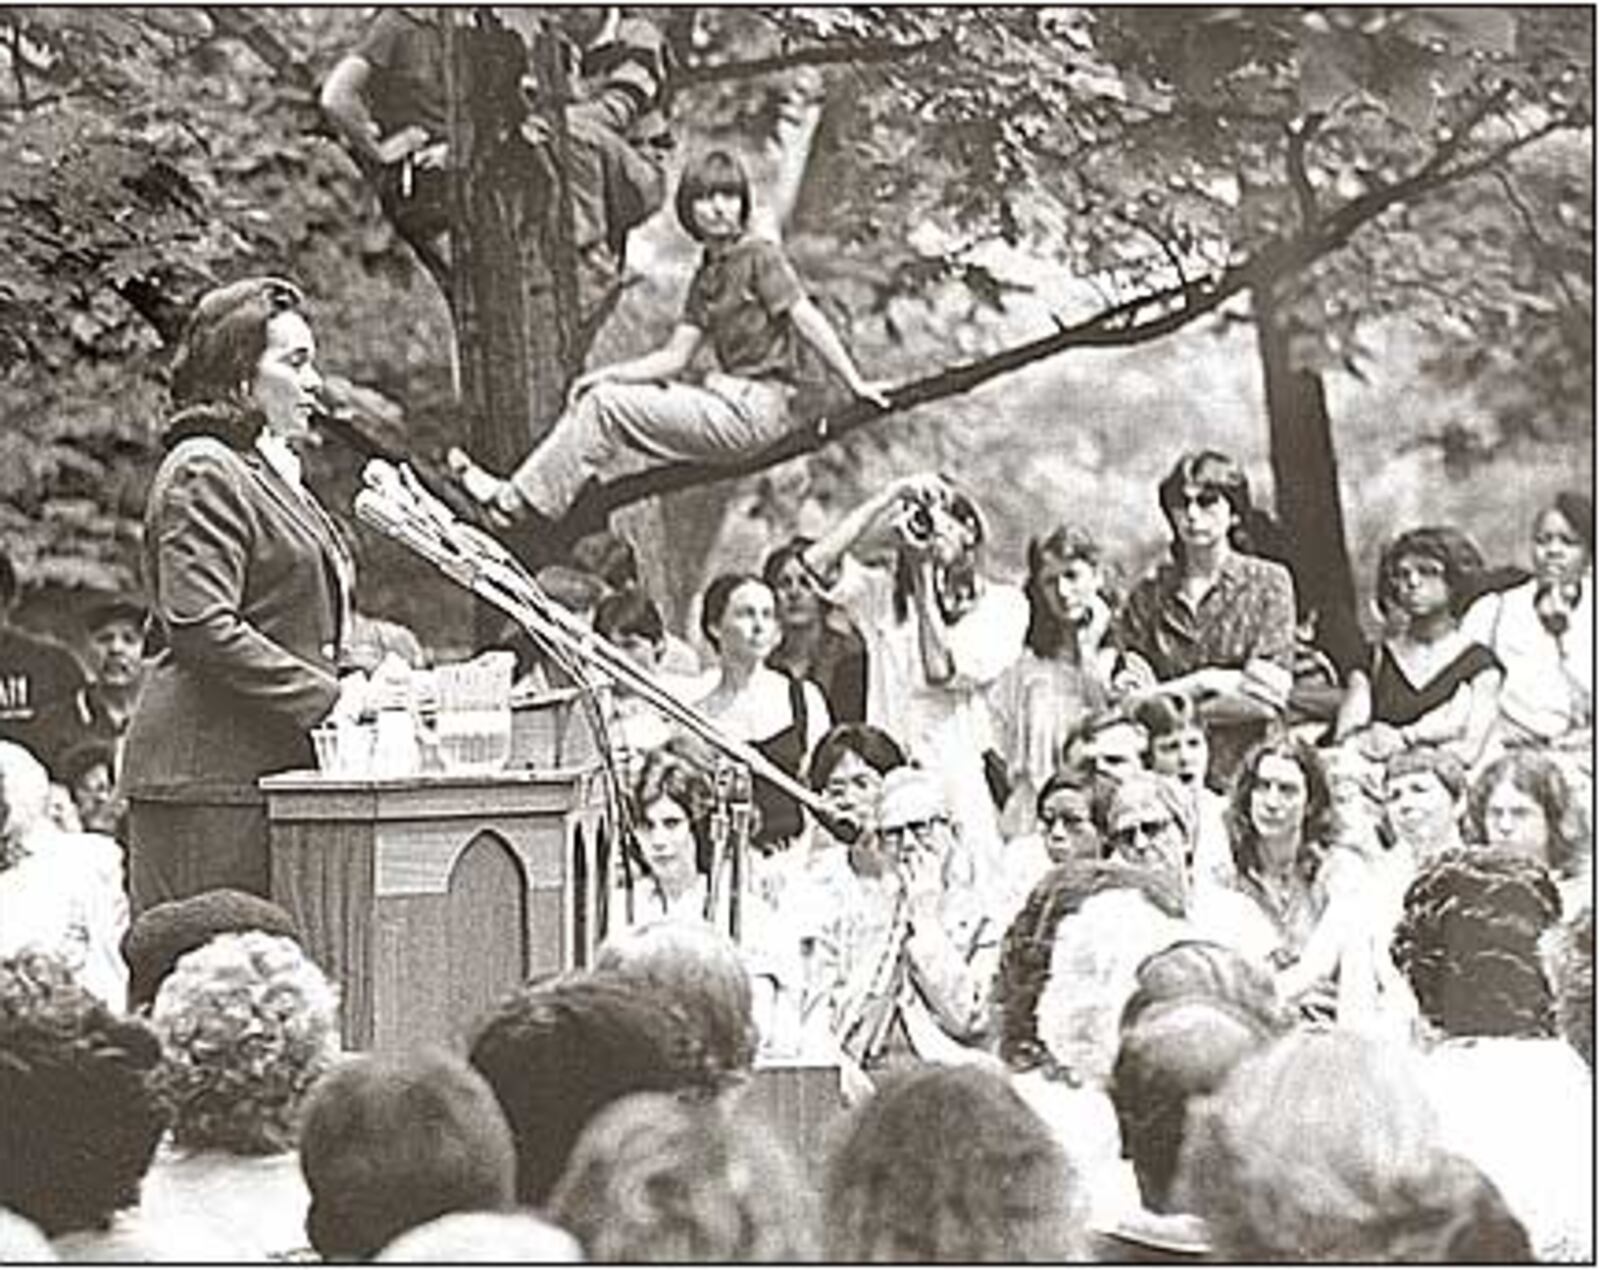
x=1306 y=476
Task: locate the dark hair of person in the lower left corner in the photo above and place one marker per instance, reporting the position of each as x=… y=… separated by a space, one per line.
x=81 y=1111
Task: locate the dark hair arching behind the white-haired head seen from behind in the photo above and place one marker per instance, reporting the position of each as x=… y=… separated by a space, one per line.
x=1031 y=940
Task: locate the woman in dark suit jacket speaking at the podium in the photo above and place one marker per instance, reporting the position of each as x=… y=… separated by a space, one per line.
x=250 y=599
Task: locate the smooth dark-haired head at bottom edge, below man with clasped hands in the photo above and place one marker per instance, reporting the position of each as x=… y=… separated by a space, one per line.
x=916 y=1176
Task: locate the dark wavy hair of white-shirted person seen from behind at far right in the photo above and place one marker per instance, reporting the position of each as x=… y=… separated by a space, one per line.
x=1468 y=943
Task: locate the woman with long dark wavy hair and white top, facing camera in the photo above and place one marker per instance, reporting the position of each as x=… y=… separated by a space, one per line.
x=1297 y=905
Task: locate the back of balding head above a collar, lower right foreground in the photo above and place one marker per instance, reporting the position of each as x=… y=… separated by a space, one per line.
x=1172 y=1055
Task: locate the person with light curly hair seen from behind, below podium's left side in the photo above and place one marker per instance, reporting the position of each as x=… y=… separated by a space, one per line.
x=247 y=1024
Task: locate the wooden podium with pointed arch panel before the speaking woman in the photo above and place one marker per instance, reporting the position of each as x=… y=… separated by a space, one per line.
x=430 y=898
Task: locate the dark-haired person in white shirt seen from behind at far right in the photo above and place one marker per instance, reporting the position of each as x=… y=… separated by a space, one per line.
x=1511 y=1095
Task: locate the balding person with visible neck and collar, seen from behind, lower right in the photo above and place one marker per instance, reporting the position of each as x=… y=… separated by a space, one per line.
x=1174 y=1053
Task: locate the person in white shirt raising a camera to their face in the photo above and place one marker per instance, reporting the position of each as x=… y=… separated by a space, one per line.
x=937 y=634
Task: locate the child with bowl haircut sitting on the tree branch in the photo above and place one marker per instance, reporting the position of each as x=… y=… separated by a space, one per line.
x=750 y=305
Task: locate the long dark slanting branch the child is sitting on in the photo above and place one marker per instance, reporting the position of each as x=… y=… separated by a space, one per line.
x=1134 y=322
